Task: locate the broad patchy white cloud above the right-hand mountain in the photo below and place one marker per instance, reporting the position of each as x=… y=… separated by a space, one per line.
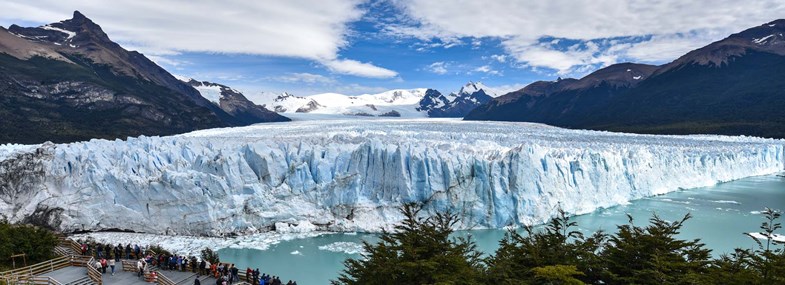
x=670 y=27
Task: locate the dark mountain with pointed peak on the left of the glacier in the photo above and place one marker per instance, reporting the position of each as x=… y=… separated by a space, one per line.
x=68 y=81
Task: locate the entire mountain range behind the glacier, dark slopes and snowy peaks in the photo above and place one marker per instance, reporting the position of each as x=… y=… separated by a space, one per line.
x=68 y=81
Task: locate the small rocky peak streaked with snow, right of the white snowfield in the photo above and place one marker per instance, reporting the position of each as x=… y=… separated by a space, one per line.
x=457 y=104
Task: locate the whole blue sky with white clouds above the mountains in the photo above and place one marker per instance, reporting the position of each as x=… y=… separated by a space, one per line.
x=354 y=47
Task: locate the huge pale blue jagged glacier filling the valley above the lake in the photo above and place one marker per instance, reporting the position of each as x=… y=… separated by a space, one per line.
x=352 y=175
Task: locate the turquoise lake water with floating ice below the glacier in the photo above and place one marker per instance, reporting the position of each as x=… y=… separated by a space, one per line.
x=721 y=215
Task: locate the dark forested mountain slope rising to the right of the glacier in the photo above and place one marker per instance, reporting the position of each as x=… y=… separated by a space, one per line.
x=734 y=86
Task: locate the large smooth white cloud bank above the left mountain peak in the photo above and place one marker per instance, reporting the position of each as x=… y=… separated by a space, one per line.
x=310 y=29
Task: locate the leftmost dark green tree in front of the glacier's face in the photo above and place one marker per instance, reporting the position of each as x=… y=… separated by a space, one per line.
x=418 y=251
